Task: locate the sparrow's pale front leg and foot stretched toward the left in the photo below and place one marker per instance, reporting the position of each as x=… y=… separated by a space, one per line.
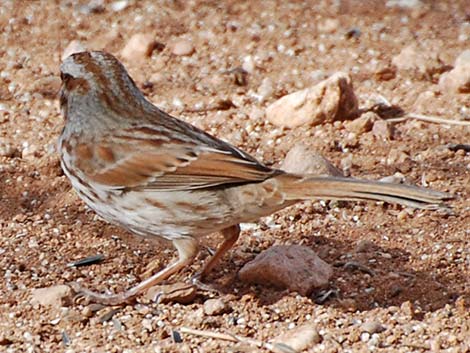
x=187 y=250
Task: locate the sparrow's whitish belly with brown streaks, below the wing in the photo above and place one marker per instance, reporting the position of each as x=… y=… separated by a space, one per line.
x=166 y=214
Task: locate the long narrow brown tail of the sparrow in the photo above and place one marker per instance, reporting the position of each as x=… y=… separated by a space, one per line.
x=337 y=188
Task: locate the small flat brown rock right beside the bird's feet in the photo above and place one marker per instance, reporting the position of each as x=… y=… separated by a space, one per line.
x=182 y=293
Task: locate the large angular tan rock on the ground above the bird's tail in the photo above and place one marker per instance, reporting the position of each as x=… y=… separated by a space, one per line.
x=330 y=100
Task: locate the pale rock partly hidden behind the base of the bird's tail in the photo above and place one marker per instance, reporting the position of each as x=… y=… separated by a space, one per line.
x=301 y=160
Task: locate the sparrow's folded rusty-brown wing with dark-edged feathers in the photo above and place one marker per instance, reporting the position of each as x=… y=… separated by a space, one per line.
x=160 y=164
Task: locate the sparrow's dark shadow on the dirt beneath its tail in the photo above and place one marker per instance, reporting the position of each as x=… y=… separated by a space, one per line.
x=379 y=277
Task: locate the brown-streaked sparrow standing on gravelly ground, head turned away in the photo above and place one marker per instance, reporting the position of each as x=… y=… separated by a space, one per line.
x=160 y=177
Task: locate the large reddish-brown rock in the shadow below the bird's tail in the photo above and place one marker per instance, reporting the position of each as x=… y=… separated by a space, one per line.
x=294 y=267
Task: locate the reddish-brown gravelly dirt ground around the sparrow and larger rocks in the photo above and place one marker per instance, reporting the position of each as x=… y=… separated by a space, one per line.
x=418 y=292
